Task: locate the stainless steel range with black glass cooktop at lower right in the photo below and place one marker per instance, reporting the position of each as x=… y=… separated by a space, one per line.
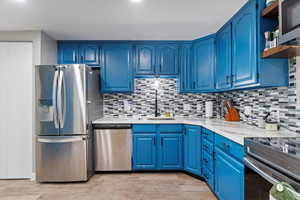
x=269 y=161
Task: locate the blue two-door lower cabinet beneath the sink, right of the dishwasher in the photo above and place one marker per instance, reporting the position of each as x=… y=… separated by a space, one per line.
x=157 y=147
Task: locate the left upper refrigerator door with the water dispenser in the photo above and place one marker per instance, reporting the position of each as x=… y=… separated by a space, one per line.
x=46 y=100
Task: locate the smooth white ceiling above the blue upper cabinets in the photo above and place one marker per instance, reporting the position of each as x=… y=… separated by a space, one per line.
x=118 y=19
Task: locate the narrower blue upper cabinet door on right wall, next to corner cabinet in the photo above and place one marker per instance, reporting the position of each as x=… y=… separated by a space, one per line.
x=223 y=58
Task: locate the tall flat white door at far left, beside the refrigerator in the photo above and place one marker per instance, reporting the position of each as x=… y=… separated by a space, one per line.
x=16 y=105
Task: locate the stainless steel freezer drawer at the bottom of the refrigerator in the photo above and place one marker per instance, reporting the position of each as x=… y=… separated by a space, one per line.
x=62 y=158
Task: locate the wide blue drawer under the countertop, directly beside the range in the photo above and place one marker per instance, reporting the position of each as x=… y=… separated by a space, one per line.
x=230 y=147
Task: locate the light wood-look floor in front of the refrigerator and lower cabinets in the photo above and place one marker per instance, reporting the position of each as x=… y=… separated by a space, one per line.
x=119 y=186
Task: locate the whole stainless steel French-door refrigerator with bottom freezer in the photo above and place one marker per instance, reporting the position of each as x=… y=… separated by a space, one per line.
x=68 y=99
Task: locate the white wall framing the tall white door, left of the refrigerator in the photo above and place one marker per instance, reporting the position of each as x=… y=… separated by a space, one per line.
x=44 y=52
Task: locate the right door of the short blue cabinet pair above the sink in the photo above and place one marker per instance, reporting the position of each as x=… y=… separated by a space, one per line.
x=167 y=60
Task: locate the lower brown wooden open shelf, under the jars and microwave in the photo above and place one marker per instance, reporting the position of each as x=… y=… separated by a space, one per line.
x=283 y=51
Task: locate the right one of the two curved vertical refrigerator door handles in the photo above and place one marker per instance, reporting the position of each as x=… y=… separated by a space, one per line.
x=61 y=99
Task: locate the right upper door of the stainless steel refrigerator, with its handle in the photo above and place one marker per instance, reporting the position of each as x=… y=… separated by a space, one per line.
x=71 y=100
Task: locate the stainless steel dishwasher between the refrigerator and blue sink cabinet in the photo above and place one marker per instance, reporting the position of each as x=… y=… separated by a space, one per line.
x=113 y=147
